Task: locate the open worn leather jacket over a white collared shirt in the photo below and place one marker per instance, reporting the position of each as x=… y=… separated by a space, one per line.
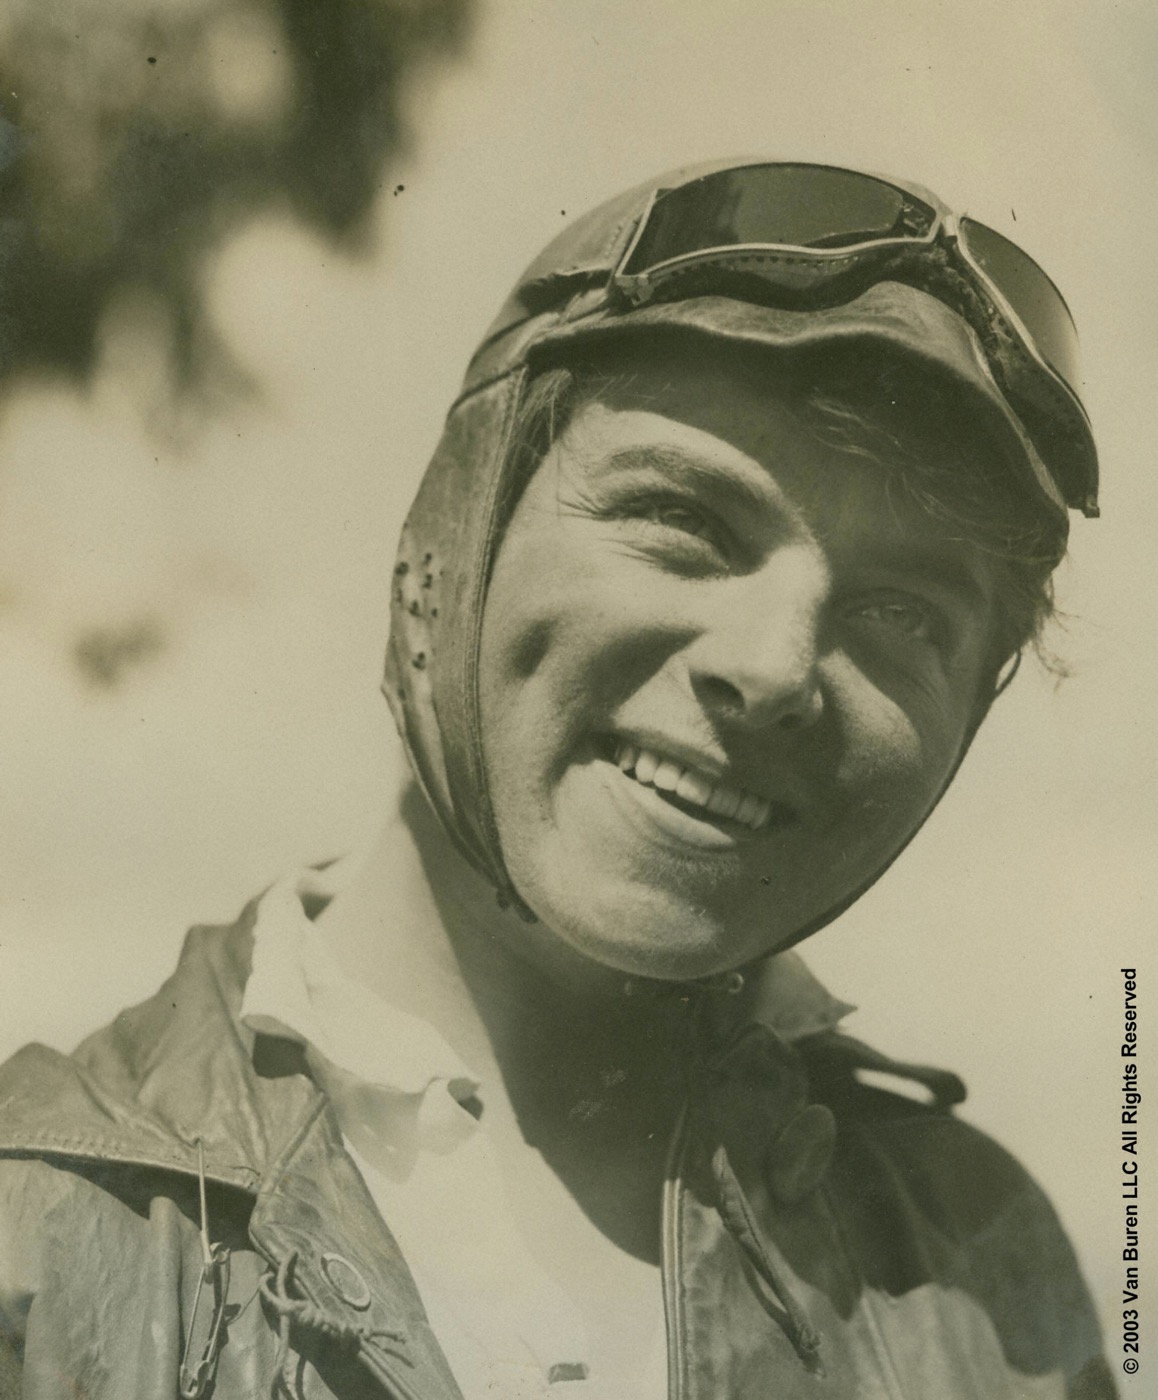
x=823 y=1240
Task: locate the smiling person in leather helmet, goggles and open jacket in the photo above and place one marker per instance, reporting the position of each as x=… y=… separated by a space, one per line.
x=748 y=506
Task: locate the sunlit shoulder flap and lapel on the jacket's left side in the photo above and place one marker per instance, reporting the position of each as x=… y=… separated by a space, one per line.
x=180 y=1069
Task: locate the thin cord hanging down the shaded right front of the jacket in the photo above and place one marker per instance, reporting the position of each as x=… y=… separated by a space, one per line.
x=732 y=1200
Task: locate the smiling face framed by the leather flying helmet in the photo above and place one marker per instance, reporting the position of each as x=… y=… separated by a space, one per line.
x=725 y=674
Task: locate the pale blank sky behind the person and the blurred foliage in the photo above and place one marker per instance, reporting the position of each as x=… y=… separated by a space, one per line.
x=264 y=538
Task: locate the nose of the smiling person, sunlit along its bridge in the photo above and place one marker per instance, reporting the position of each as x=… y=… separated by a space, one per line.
x=757 y=660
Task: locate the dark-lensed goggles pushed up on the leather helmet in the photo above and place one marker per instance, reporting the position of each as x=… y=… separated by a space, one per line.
x=804 y=236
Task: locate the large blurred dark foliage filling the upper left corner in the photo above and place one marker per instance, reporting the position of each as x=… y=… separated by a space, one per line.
x=145 y=131
